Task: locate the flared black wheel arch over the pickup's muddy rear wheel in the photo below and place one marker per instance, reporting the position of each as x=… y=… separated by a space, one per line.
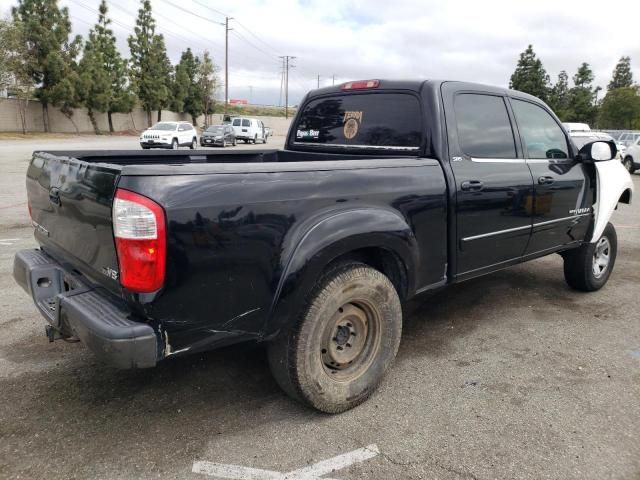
x=330 y=238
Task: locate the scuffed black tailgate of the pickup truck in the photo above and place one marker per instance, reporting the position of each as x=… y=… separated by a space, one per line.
x=70 y=202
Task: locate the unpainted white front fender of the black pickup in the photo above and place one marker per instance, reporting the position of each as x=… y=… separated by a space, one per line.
x=613 y=185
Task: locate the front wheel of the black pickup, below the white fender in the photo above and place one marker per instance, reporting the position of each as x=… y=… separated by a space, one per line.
x=588 y=267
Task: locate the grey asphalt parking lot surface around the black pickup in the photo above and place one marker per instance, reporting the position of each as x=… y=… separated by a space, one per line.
x=512 y=375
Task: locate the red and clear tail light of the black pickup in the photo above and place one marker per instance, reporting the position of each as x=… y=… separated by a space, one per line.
x=139 y=230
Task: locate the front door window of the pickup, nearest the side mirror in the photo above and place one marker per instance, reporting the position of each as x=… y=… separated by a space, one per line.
x=540 y=133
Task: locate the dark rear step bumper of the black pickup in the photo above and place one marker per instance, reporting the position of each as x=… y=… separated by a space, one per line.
x=73 y=308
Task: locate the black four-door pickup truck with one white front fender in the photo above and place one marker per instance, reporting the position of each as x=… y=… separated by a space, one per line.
x=385 y=189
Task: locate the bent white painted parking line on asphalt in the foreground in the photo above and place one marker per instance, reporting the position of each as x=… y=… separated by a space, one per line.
x=312 y=472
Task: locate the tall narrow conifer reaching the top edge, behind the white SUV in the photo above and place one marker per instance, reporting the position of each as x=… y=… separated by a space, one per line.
x=149 y=63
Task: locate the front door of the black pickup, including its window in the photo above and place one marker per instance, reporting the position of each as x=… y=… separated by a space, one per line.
x=563 y=195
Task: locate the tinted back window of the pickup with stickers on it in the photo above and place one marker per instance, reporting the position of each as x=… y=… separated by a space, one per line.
x=361 y=120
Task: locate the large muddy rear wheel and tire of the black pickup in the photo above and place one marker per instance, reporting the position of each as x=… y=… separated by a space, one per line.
x=348 y=298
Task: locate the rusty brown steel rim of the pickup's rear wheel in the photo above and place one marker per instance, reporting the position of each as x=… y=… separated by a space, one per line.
x=351 y=340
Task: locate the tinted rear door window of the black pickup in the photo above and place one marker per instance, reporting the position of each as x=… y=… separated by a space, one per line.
x=483 y=125
